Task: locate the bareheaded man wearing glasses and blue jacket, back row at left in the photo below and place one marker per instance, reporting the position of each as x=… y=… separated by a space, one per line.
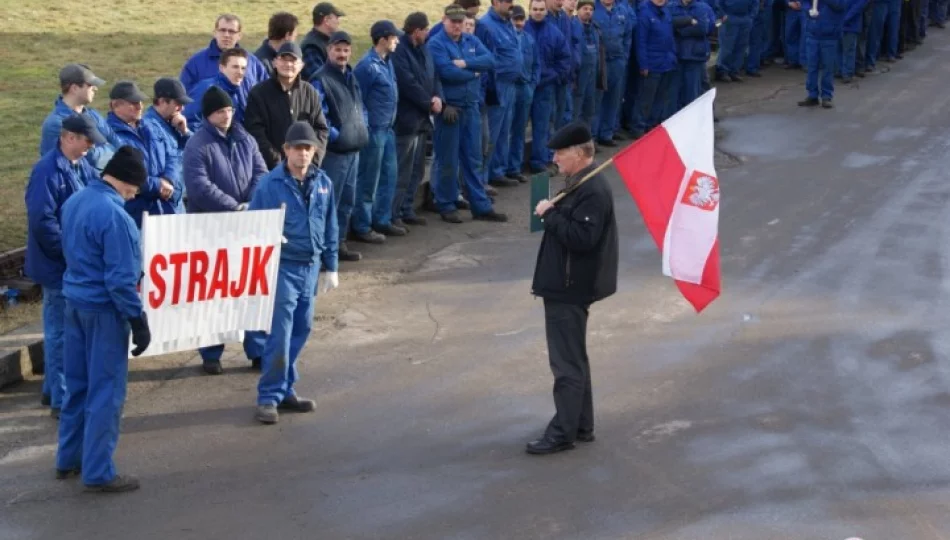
x=204 y=63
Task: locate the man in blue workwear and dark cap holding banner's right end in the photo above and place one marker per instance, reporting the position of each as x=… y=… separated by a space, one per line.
x=312 y=242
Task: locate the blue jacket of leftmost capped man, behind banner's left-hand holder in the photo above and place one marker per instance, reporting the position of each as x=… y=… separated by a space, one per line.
x=53 y=180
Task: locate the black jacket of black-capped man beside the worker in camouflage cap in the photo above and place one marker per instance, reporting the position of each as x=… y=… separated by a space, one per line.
x=417 y=83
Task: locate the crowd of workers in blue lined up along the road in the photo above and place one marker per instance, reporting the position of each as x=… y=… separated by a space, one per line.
x=345 y=148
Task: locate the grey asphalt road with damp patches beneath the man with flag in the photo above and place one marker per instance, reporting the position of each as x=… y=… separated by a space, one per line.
x=809 y=402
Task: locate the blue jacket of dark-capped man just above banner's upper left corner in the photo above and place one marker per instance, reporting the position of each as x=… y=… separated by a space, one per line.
x=161 y=161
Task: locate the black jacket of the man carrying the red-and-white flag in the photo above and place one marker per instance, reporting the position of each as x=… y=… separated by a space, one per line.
x=579 y=253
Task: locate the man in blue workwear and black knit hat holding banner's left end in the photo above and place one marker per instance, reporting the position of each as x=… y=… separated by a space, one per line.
x=103 y=265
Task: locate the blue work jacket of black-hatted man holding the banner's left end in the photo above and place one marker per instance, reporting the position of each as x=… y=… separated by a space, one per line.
x=103 y=252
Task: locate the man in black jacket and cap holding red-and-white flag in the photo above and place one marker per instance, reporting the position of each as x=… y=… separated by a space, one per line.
x=577 y=266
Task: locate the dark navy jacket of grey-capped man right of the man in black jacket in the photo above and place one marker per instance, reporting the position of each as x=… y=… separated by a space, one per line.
x=343 y=108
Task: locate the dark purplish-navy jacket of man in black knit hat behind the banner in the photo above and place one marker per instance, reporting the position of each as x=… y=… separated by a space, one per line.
x=221 y=172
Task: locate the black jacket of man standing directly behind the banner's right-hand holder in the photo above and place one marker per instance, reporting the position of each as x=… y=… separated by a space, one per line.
x=271 y=111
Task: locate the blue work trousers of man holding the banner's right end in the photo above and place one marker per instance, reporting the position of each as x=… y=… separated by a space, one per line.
x=294 y=300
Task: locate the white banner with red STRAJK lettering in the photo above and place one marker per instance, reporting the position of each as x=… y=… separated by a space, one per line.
x=209 y=277
